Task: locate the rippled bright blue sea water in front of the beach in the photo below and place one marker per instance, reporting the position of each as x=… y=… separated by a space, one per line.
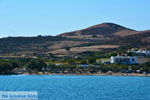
x=55 y=87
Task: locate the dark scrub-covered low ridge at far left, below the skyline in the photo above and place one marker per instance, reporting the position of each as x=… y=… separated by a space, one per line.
x=15 y=44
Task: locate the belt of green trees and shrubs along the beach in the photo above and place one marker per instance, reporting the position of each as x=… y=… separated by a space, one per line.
x=71 y=66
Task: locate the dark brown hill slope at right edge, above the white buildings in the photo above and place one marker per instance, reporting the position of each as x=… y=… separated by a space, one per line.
x=140 y=40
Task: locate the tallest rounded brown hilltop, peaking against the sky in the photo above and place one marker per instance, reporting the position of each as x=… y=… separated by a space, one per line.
x=99 y=31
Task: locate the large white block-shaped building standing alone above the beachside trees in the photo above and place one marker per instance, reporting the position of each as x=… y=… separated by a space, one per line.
x=124 y=60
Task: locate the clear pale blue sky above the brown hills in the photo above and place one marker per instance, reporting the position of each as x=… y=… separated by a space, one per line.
x=52 y=17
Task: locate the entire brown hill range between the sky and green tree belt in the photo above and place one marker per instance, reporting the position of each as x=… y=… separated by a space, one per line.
x=101 y=37
